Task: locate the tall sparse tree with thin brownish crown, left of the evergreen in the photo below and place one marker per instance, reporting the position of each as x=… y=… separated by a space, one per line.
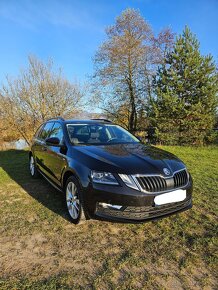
x=125 y=64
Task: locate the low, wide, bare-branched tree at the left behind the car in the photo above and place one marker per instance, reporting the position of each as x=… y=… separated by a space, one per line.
x=38 y=93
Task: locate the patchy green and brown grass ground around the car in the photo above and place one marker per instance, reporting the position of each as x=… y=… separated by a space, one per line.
x=41 y=249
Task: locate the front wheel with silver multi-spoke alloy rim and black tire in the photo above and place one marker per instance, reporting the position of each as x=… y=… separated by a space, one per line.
x=73 y=201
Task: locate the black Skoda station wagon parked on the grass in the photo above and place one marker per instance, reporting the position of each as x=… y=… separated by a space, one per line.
x=106 y=172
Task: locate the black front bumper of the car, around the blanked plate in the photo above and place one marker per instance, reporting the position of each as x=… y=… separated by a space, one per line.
x=135 y=206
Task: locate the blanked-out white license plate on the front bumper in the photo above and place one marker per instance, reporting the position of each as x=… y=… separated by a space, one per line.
x=169 y=197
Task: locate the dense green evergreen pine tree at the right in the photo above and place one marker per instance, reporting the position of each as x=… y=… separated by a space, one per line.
x=186 y=94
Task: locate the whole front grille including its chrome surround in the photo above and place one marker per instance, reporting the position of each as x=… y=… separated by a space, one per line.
x=157 y=183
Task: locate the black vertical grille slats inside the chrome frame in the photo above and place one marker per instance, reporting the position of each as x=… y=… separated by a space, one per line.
x=159 y=183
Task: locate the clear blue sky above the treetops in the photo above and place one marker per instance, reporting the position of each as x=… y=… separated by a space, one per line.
x=71 y=31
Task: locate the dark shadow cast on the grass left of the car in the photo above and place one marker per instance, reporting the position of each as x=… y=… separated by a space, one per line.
x=15 y=164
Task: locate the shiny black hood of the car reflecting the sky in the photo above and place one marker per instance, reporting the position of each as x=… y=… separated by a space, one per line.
x=128 y=158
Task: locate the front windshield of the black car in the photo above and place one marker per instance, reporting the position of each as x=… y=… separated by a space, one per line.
x=95 y=134
